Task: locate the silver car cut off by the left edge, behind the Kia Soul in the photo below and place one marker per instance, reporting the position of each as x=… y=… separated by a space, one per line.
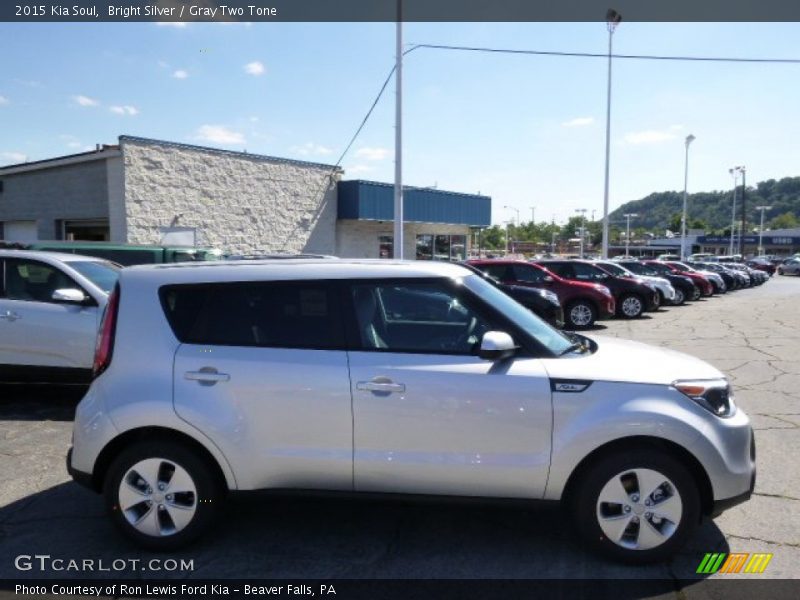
x=50 y=309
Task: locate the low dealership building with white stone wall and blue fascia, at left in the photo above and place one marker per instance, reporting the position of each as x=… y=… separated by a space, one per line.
x=148 y=191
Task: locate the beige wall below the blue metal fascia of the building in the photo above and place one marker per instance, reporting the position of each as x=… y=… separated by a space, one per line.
x=359 y=239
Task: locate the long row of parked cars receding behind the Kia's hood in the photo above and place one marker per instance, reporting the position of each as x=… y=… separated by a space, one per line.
x=573 y=294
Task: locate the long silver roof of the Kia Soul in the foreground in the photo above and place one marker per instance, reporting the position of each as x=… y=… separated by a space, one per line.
x=291 y=269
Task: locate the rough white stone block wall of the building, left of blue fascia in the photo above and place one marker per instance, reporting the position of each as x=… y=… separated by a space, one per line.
x=239 y=203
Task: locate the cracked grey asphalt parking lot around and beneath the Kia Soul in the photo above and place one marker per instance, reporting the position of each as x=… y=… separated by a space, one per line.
x=752 y=335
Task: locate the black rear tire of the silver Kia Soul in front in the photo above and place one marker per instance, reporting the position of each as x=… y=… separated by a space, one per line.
x=204 y=500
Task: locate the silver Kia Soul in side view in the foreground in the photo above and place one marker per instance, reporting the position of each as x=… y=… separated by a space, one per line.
x=394 y=377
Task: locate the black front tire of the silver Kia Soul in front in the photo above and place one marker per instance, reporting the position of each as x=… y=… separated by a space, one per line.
x=618 y=467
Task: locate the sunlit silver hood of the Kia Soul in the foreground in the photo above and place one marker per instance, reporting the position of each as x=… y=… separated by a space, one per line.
x=633 y=362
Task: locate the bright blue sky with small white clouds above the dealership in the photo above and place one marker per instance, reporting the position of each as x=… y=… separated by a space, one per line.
x=529 y=131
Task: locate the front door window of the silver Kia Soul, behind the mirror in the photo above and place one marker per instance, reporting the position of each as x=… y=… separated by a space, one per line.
x=418 y=317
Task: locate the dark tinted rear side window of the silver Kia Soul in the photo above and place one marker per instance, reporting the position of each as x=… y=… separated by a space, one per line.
x=262 y=314
